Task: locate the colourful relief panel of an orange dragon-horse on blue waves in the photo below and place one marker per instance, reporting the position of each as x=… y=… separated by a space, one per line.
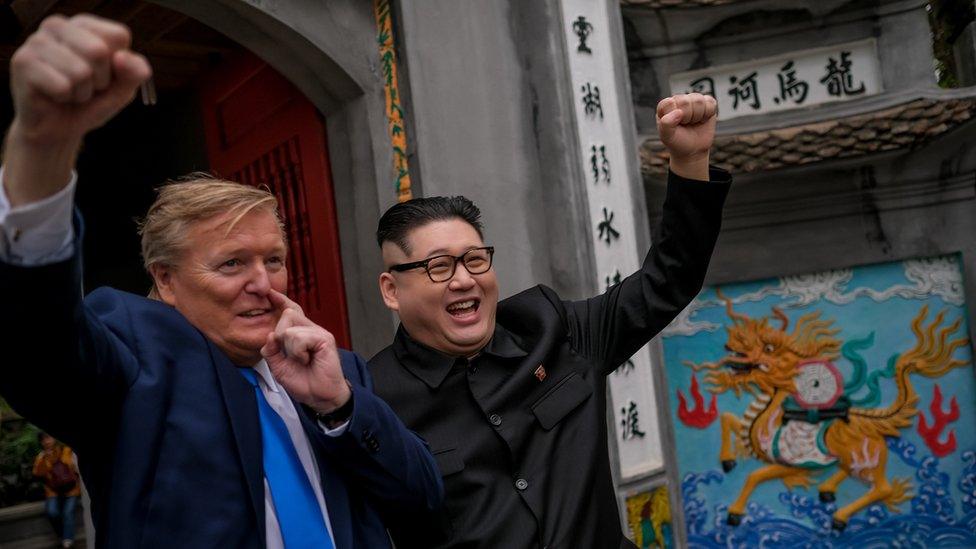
x=835 y=409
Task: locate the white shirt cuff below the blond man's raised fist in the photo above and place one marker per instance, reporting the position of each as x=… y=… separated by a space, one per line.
x=38 y=233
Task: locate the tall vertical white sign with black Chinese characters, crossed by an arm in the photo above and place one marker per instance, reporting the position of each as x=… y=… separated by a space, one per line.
x=605 y=163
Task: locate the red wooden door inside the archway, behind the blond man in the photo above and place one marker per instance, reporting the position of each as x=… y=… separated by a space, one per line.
x=261 y=130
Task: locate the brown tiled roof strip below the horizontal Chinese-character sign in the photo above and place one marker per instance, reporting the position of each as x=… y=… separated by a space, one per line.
x=908 y=125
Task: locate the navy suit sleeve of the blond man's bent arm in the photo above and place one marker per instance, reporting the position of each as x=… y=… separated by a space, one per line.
x=391 y=463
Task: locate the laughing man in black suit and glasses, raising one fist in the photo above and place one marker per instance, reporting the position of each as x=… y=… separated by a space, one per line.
x=511 y=394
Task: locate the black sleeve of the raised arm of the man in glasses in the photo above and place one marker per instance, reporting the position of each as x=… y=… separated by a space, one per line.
x=611 y=327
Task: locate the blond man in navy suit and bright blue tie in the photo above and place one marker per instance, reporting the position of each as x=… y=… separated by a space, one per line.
x=216 y=414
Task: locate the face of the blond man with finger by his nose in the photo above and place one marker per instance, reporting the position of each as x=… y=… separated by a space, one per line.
x=222 y=279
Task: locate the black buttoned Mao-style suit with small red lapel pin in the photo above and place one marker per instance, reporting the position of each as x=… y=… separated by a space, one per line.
x=524 y=455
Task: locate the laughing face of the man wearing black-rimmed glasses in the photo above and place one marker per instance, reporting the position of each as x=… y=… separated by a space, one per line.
x=456 y=317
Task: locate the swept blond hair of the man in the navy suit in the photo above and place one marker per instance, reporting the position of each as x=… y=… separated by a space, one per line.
x=191 y=199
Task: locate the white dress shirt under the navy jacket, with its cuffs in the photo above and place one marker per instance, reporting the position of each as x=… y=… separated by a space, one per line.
x=41 y=233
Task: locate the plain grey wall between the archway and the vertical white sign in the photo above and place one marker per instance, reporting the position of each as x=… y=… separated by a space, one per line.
x=491 y=120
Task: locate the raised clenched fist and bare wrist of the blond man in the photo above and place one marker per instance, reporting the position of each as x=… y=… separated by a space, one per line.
x=68 y=78
